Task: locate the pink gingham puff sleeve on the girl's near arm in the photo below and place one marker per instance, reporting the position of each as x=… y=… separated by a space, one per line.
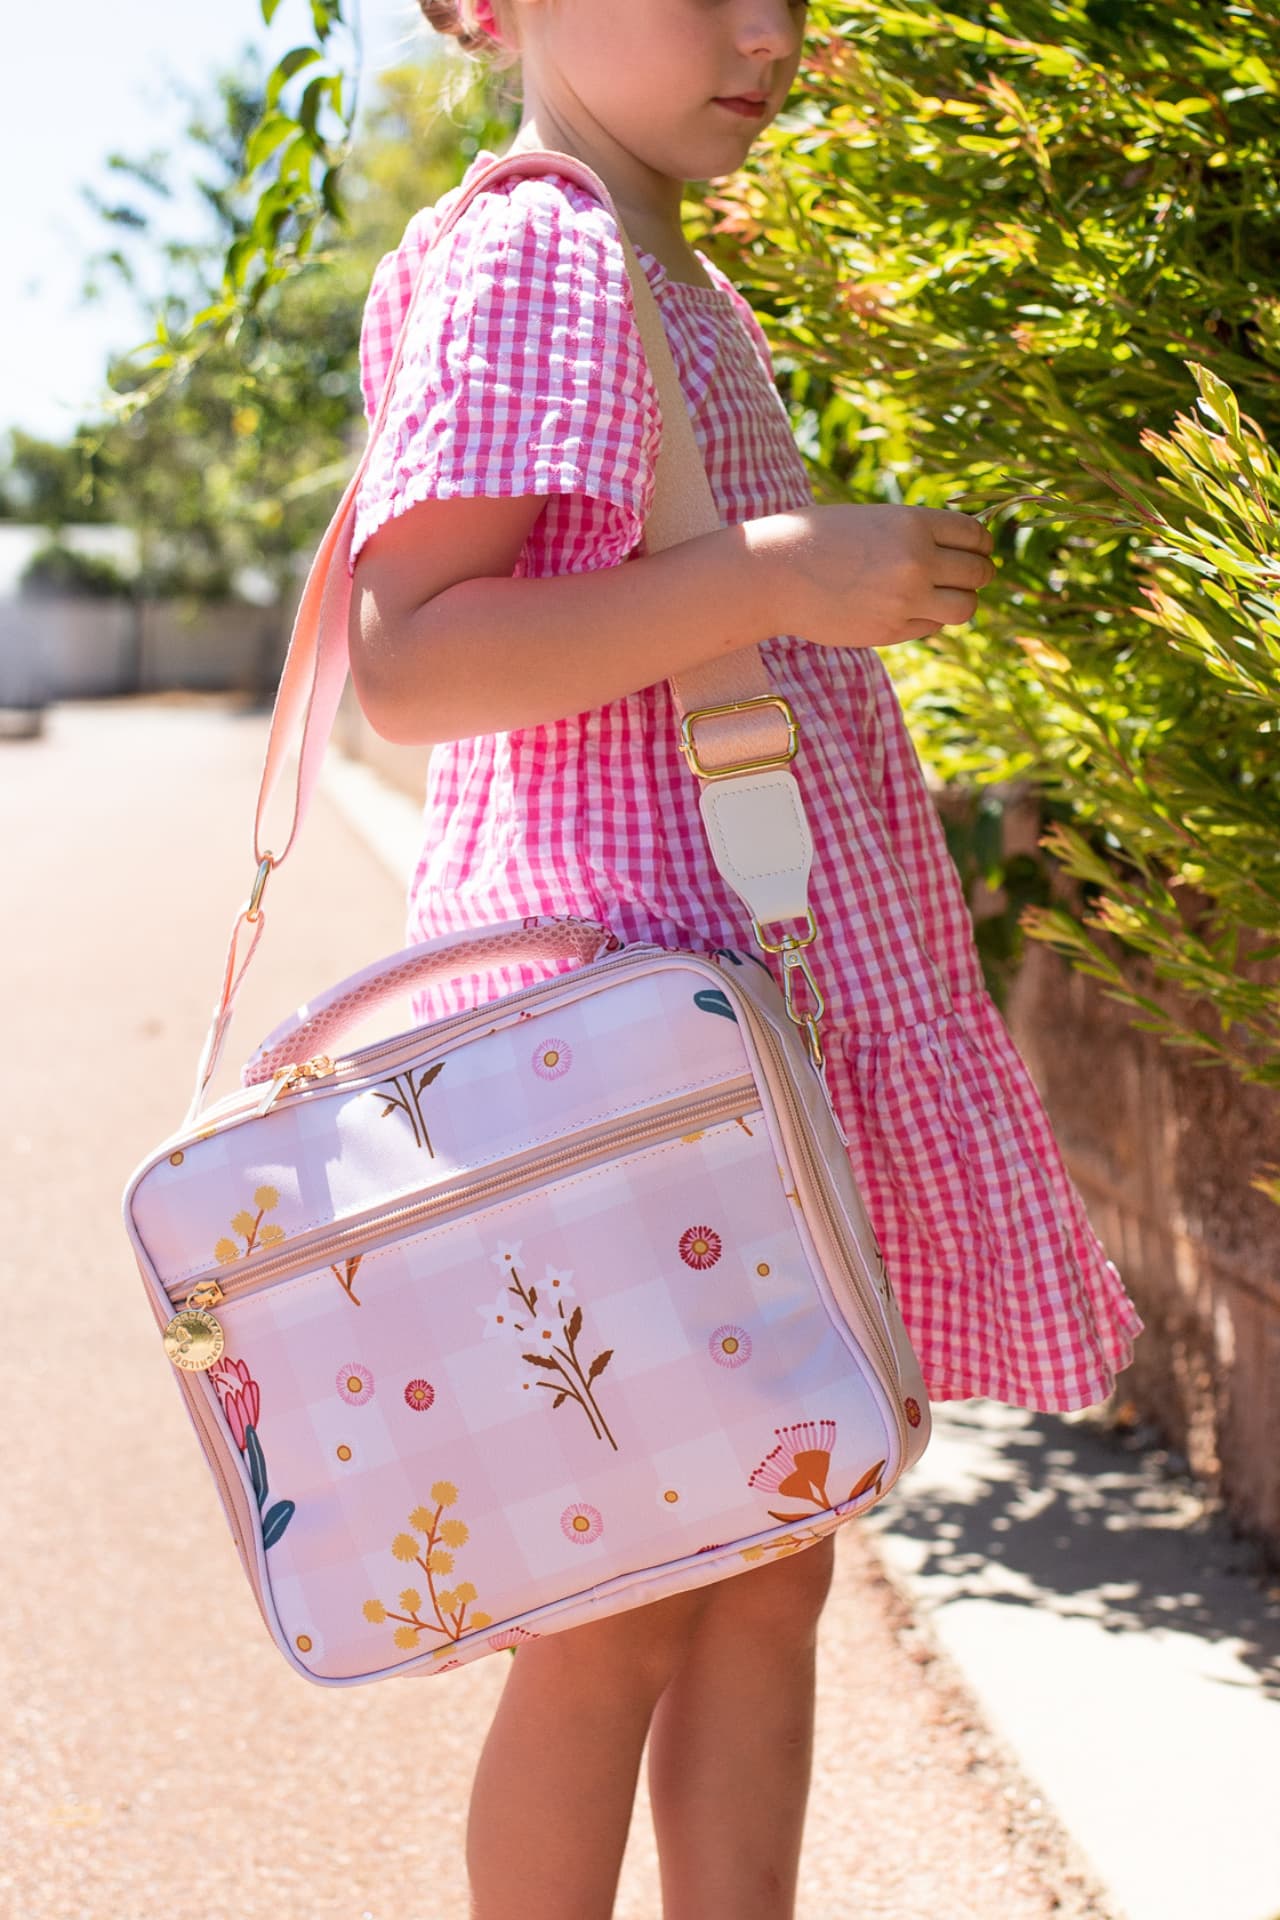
x=523 y=372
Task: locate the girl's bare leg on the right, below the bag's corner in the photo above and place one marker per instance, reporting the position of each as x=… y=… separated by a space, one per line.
x=732 y=1744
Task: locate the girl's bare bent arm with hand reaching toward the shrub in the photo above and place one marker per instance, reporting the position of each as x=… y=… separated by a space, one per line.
x=446 y=644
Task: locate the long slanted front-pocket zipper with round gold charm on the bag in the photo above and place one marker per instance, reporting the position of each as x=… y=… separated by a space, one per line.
x=320 y=1249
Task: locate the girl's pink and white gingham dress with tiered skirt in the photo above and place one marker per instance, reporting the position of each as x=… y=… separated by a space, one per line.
x=525 y=373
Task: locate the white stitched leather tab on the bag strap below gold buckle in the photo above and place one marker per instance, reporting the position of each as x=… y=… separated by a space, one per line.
x=761 y=840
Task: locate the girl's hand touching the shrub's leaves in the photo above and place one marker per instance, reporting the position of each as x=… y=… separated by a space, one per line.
x=872 y=577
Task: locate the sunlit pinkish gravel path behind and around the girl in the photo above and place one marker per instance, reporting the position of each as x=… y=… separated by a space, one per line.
x=162 y=1762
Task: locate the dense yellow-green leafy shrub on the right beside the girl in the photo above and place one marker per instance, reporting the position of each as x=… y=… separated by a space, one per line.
x=1026 y=260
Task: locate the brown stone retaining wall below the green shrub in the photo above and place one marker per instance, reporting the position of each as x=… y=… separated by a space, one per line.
x=1164 y=1153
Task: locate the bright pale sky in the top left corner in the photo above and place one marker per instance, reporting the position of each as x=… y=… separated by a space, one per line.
x=91 y=78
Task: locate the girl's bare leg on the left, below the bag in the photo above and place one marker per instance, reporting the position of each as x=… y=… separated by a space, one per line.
x=552 y=1802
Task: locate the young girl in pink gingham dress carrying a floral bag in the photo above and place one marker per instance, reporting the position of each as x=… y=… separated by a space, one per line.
x=504 y=615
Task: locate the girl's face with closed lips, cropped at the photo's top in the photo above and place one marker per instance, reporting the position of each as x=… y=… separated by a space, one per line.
x=655 y=74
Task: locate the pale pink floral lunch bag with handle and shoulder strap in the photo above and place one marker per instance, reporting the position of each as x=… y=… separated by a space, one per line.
x=563 y=1303
